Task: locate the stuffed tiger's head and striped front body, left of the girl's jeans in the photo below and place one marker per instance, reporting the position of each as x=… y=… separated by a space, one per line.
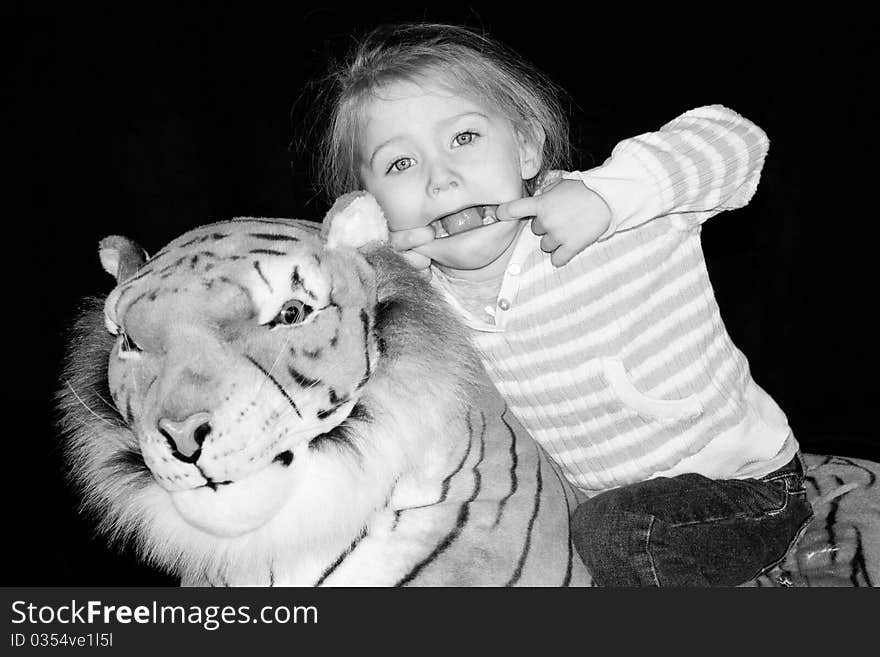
x=261 y=404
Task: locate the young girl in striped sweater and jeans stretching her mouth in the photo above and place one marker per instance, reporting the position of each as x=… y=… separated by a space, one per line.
x=587 y=294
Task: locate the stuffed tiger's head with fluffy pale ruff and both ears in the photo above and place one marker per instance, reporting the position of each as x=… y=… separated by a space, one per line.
x=252 y=391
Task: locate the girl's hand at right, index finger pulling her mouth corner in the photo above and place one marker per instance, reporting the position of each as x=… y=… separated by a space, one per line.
x=569 y=216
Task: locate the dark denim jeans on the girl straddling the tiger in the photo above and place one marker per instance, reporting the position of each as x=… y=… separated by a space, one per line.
x=690 y=530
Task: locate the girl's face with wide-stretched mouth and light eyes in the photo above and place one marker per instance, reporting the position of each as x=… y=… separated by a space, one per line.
x=431 y=157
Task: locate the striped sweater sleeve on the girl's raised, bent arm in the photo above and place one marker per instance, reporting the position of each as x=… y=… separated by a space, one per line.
x=704 y=162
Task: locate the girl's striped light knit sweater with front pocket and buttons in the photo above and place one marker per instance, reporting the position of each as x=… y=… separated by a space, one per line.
x=618 y=363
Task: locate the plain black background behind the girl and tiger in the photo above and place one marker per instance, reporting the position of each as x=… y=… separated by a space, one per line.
x=149 y=123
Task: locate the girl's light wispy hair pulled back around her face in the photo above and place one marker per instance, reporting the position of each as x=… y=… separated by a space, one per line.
x=466 y=61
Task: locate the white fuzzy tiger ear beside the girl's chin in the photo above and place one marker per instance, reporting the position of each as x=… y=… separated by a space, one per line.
x=354 y=221
